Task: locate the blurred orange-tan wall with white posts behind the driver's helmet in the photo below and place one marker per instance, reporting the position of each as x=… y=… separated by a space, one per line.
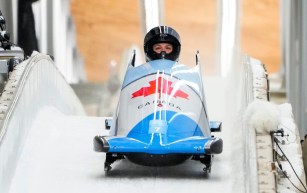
x=105 y=29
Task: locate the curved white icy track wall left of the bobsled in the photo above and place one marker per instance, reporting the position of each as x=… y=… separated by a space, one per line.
x=33 y=84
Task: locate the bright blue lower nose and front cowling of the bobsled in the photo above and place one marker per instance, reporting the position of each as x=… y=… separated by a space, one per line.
x=179 y=134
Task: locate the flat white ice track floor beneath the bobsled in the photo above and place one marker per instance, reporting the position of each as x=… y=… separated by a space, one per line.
x=59 y=158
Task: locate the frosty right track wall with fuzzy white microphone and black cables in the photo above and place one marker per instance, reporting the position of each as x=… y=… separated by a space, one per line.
x=261 y=150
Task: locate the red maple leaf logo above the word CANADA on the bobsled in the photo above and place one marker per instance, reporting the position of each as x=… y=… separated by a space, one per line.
x=161 y=86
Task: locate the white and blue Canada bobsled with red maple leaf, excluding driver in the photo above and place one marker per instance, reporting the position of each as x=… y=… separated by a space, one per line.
x=161 y=118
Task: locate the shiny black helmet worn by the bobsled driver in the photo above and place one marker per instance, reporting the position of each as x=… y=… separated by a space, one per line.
x=162 y=34
